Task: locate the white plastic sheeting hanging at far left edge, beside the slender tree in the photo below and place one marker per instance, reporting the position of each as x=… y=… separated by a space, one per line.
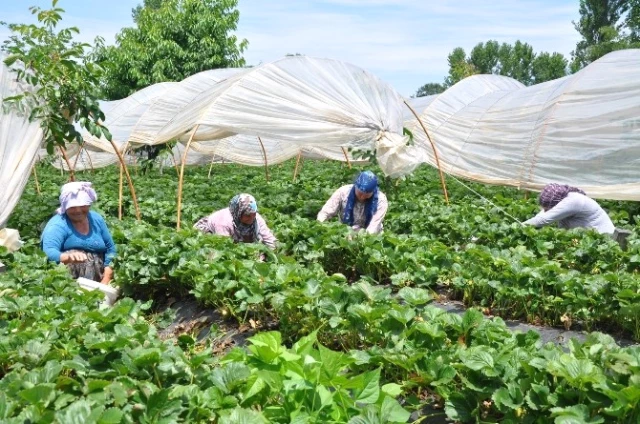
x=19 y=143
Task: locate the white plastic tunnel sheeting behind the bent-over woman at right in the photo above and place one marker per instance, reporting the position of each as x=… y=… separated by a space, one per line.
x=582 y=130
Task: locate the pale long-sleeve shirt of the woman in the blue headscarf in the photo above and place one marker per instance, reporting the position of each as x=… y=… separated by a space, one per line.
x=338 y=202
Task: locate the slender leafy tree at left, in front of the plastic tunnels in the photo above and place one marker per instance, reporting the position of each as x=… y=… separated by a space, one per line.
x=62 y=83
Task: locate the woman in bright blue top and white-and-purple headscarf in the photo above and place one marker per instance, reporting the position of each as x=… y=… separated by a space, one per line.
x=78 y=237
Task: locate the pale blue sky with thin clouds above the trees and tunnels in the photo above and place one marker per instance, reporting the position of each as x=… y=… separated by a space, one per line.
x=404 y=42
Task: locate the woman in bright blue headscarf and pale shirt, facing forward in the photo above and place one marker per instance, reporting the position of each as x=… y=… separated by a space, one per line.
x=360 y=205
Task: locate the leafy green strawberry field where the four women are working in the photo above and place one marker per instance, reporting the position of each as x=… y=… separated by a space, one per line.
x=356 y=338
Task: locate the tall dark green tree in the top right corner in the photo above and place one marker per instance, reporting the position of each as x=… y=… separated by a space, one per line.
x=601 y=26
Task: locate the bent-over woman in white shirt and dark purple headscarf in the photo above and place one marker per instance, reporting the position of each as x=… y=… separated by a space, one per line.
x=570 y=208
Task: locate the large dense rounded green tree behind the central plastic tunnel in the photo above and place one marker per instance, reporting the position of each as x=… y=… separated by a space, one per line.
x=172 y=40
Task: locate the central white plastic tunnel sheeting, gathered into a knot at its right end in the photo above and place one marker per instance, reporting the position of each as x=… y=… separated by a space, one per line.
x=296 y=104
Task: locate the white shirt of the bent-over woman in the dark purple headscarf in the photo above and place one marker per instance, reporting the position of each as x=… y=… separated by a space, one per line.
x=575 y=210
